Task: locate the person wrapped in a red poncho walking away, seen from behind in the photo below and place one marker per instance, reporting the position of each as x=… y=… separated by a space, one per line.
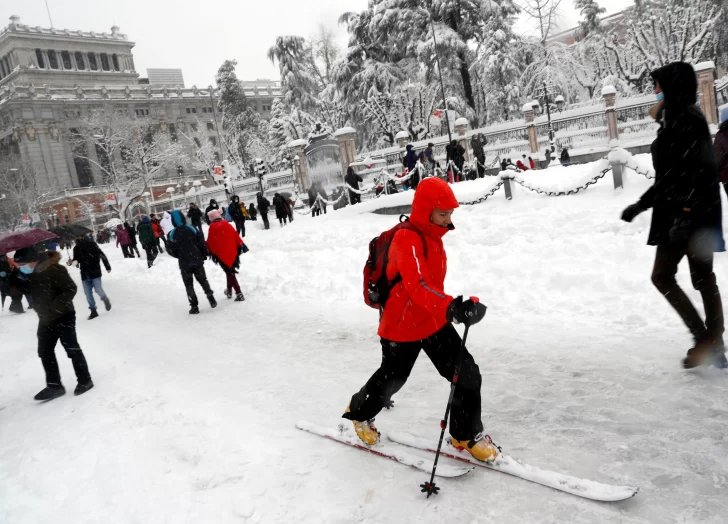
x=225 y=247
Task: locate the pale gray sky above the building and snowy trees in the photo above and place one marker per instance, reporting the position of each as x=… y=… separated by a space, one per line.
x=197 y=36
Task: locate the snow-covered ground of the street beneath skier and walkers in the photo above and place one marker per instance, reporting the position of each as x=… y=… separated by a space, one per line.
x=192 y=418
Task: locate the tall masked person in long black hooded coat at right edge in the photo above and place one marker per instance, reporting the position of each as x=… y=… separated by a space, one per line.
x=686 y=209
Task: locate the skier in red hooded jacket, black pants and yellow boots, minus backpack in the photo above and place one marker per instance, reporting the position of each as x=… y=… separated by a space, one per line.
x=418 y=316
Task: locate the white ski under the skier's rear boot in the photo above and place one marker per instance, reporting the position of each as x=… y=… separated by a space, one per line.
x=384 y=449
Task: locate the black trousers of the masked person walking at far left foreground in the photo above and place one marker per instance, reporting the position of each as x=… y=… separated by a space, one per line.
x=49 y=333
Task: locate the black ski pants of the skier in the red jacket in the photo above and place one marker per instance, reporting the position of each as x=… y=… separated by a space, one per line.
x=398 y=359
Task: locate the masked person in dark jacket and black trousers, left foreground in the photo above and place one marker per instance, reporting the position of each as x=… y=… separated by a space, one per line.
x=53 y=290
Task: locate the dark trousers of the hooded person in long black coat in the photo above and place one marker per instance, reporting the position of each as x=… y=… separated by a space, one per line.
x=703 y=279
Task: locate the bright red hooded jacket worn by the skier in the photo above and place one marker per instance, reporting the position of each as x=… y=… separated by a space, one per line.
x=417 y=306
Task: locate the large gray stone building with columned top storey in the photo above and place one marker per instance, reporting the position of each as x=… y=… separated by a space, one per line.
x=49 y=78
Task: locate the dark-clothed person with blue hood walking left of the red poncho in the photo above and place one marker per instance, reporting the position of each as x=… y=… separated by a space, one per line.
x=187 y=245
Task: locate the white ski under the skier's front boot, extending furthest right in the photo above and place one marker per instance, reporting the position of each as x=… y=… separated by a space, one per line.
x=504 y=464
